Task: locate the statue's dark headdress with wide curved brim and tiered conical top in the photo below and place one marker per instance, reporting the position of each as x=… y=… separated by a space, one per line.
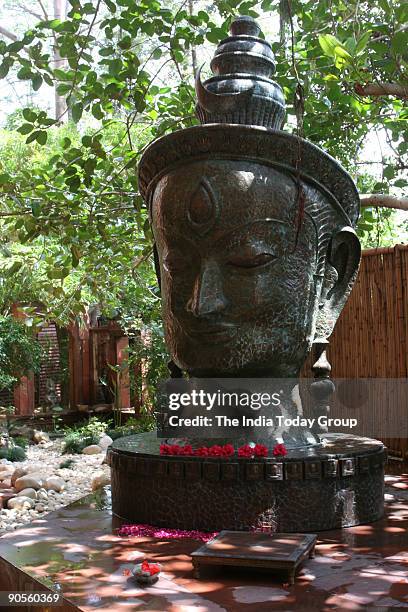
x=242 y=111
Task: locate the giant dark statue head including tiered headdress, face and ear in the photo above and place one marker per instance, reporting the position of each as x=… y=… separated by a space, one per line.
x=256 y=251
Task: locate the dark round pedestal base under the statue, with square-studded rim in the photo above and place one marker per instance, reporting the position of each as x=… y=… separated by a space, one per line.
x=339 y=483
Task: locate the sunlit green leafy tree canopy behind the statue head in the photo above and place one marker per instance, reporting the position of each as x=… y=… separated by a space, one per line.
x=73 y=226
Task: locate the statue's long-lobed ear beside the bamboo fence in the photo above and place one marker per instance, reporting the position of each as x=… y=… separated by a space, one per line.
x=343 y=259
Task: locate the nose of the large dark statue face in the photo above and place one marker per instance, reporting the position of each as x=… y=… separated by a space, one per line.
x=208 y=296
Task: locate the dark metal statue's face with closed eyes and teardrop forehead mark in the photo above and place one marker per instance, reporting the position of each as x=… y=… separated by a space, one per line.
x=239 y=291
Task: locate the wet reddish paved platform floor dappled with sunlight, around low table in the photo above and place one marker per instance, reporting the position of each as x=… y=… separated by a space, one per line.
x=359 y=568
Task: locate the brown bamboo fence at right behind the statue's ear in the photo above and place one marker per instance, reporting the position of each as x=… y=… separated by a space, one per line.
x=371 y=337
